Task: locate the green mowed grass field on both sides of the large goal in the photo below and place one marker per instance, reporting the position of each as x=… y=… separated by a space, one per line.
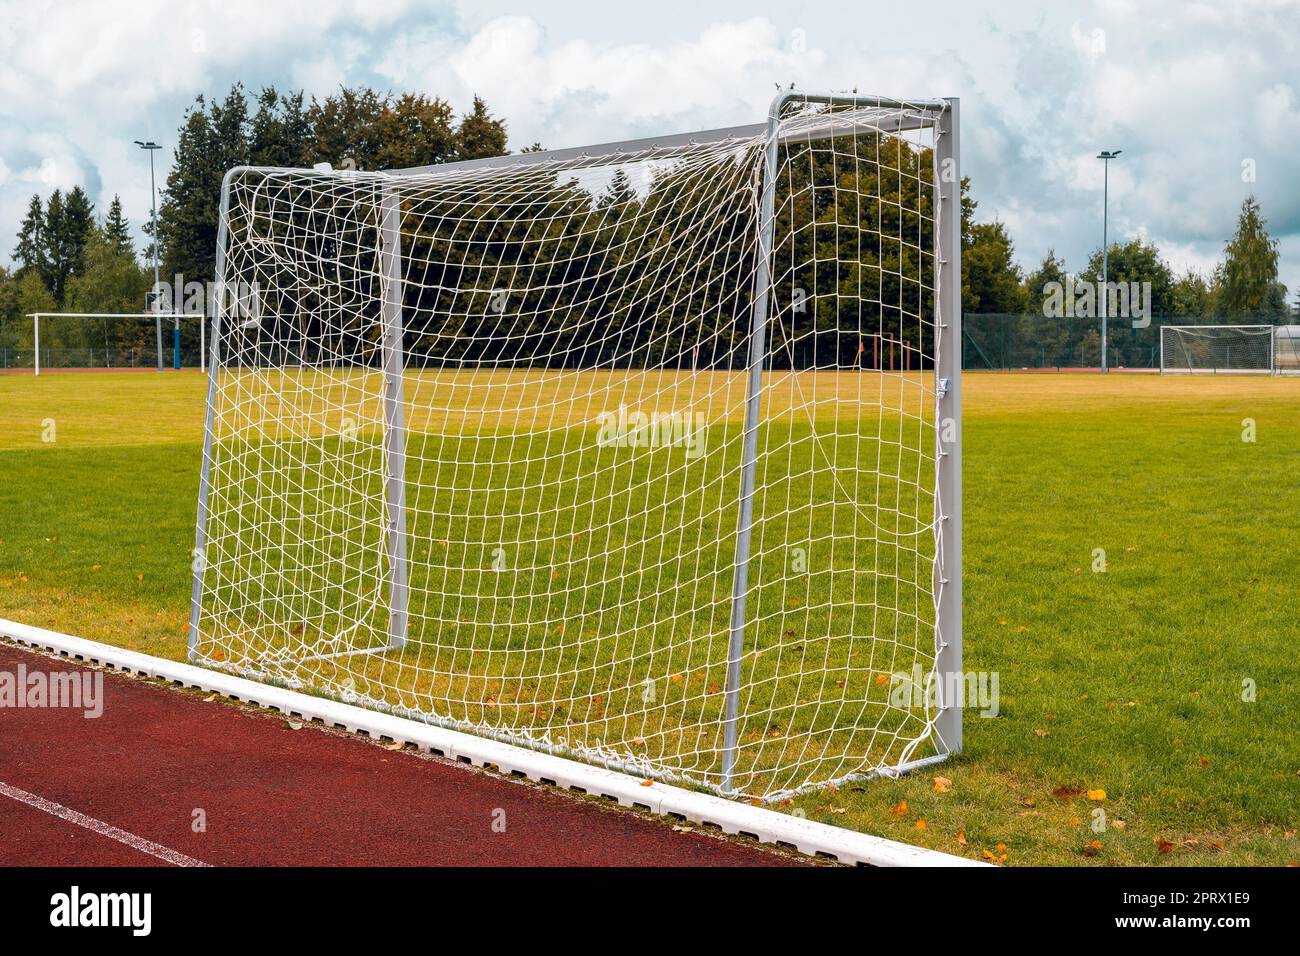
x=1171 y=681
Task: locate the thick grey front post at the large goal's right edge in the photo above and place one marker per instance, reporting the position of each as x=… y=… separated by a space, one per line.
x=948 y=435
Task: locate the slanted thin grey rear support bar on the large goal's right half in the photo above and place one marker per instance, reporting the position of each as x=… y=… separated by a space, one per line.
x=753 y=397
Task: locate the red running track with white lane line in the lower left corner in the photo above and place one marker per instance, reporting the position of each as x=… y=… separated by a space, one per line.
x=280 y=797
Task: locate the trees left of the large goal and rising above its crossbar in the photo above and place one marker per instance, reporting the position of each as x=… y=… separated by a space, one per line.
x=67 y=259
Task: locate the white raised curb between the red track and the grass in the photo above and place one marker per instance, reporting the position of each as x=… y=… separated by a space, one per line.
x=733 y=817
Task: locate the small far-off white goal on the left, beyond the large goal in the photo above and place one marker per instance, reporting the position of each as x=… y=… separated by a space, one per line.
x=105 y=340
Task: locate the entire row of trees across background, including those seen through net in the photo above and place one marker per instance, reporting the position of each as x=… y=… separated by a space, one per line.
x=68 y=259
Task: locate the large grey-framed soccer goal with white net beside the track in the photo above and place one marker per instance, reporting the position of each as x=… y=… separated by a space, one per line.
x=645 y=455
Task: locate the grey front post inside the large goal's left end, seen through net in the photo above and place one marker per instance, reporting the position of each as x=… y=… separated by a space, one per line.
x=395 y=418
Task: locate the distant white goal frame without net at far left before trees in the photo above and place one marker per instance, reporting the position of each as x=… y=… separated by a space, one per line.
x=105 y=340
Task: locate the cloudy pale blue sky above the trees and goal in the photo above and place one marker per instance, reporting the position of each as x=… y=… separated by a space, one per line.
x=1203 y=98
